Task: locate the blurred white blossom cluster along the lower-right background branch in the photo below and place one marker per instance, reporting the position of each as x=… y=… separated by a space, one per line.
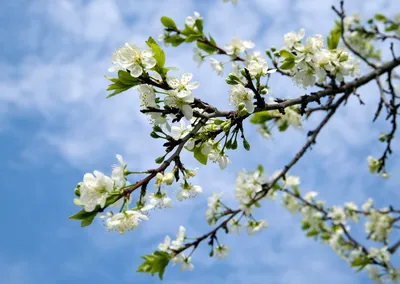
x=316 y=218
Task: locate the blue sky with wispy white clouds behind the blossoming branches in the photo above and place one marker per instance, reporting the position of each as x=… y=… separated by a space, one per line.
x=56 y=125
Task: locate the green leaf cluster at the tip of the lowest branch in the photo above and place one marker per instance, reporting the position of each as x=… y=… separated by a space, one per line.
x=155 y=263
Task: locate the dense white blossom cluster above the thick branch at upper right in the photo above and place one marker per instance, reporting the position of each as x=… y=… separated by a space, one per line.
x=311 y=63
